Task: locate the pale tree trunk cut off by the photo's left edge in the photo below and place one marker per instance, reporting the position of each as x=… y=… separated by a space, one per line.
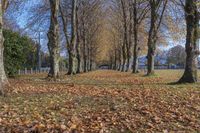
x=3 y=78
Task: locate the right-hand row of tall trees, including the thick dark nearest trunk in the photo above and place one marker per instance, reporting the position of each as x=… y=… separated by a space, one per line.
x=143 y=24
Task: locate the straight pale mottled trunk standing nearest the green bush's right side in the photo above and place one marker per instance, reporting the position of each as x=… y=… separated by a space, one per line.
x=53 y=36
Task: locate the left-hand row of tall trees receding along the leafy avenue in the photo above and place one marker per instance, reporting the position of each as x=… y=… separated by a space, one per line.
x=83 y=19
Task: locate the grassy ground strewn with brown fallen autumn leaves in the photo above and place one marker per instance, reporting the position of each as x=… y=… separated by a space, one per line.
x=101 y=101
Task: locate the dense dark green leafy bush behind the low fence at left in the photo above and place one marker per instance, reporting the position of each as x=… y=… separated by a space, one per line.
x=13 y=45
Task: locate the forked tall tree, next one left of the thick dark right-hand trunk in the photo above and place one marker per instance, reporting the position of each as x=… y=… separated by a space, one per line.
x=157 y=8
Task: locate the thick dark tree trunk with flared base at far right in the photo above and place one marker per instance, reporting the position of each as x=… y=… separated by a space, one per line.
x=192 y=21
